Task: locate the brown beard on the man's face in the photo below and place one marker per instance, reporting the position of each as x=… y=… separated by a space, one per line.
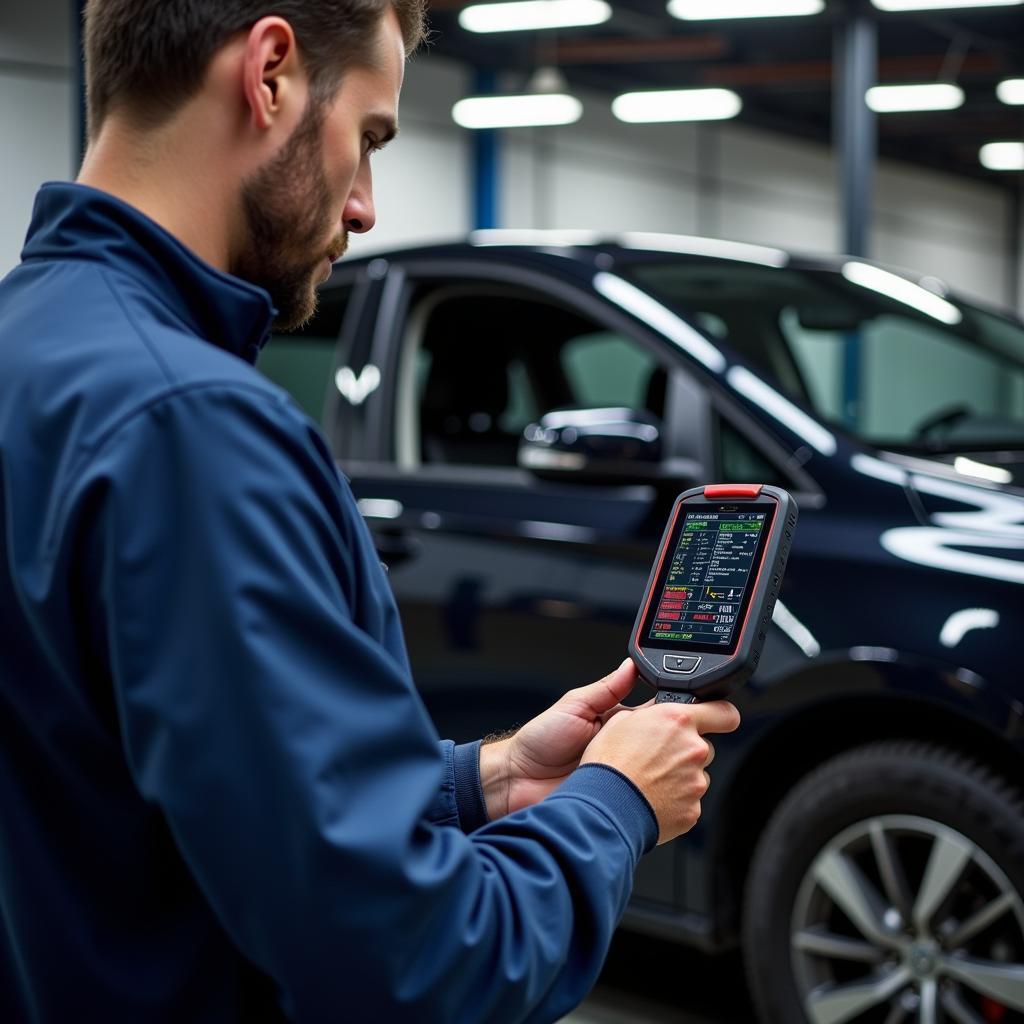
x=286 y=205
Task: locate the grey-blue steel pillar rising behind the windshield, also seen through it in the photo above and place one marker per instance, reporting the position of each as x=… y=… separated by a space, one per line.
x=856 y=133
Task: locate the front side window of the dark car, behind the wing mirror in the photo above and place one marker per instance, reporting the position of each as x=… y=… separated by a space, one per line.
x=487 y=363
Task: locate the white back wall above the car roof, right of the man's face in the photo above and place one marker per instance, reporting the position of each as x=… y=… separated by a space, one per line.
x=724 y=181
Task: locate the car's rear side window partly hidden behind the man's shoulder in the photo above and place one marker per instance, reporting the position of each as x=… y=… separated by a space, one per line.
x=303 y=361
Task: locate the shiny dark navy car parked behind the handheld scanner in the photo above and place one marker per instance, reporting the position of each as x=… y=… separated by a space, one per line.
x=517 y=413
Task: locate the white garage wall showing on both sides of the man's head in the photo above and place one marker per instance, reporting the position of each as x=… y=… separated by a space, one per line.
x=724 y=181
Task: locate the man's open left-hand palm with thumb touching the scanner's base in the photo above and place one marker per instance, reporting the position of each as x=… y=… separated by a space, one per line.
x=523 y=770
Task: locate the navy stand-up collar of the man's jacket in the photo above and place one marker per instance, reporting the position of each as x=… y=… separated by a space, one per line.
x=72 y=222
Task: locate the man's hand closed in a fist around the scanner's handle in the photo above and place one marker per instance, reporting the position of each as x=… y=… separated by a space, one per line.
x=662 y=750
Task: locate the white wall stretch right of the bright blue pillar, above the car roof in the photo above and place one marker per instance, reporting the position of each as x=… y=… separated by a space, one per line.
x=738 y=183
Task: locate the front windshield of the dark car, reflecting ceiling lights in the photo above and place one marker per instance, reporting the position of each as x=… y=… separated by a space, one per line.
x=891 y=362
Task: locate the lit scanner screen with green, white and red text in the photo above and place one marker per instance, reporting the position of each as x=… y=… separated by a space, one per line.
x=708 y=577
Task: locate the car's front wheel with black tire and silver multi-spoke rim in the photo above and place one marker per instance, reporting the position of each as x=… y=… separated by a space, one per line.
x=888 y=887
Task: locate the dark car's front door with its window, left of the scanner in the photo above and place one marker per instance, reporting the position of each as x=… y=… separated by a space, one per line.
x=513 y=588
